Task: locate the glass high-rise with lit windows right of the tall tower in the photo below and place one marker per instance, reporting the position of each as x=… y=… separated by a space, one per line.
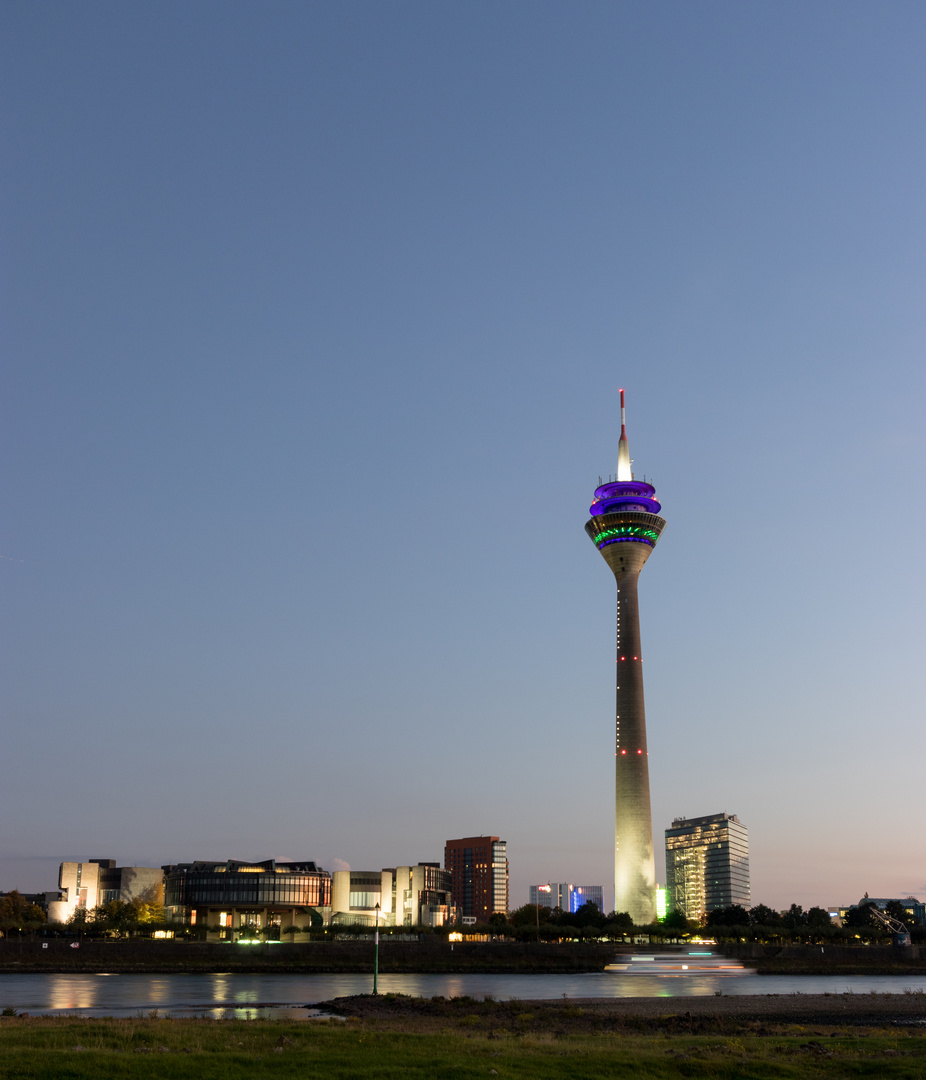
x=707 y=865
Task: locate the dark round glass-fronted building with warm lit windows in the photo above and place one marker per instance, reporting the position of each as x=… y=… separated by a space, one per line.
x=252 y=901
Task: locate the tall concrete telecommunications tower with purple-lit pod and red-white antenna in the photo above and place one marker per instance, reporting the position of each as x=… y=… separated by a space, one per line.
x=625 y=528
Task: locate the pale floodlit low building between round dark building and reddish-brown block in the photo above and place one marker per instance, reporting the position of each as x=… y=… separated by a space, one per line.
x=417 y=896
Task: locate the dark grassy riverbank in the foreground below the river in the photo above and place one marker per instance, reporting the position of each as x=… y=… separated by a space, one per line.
x=410 y=1038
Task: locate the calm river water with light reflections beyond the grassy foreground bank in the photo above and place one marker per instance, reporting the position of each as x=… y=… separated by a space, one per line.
x=269 y=995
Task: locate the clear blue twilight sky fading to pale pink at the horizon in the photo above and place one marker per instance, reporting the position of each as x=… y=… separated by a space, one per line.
x=315 y=318
